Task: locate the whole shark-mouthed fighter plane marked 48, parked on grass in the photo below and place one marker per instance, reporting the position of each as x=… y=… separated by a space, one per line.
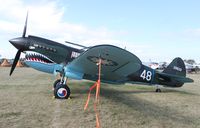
x=116 y=65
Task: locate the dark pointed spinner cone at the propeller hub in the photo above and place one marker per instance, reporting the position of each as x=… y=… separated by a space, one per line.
x=19 y=43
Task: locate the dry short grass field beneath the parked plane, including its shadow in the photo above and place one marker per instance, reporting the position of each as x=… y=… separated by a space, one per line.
x=26 y=102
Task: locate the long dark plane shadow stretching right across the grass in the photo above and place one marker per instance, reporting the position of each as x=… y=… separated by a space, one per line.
x=147 y=108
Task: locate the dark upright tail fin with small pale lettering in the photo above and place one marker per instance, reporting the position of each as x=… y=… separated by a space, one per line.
x=176 y=67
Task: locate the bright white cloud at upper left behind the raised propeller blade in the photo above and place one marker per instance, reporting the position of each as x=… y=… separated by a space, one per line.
x=45 y=19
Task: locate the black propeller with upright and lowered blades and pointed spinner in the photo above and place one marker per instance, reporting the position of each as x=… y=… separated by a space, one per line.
x=18 y=43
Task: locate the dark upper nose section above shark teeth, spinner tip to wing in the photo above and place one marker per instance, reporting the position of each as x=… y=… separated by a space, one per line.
x=57 y=52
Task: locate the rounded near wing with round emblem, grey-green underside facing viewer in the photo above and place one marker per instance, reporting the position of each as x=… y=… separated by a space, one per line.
x=117 y=63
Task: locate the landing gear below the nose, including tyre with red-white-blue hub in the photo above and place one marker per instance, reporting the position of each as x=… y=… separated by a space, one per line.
x=61 y=90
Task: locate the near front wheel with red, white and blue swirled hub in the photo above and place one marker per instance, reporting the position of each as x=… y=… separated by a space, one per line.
x=61 y=91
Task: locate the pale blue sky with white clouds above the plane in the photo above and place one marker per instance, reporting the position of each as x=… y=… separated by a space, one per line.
x=153 y=30
